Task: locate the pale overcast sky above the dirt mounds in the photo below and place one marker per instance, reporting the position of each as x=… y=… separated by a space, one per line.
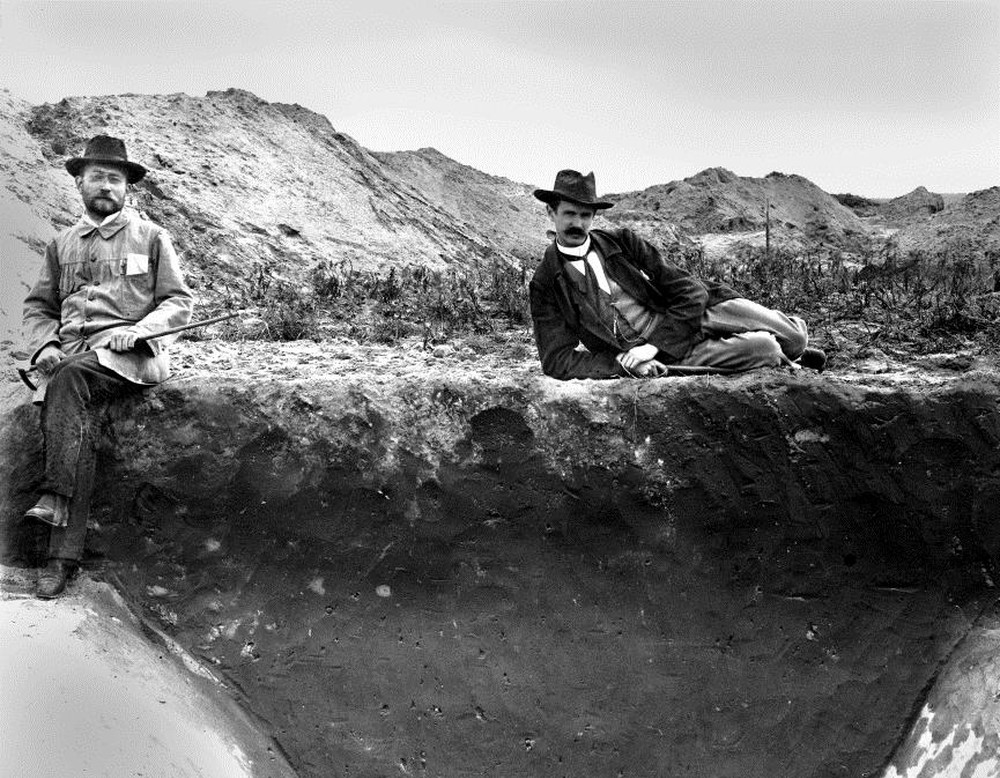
x=864 y=96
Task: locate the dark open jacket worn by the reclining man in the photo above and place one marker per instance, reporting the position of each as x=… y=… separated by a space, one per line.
x=563 y=317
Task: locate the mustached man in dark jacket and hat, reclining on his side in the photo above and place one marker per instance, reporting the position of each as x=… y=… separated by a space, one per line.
x=636 y=313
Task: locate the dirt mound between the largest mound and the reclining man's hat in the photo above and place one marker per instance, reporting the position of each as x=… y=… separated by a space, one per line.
x=502 y=210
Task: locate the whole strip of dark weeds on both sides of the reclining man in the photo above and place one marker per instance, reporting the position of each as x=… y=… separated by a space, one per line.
x=911 y=302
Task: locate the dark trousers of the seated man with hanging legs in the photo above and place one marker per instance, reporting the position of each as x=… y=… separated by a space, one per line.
x=77 y=393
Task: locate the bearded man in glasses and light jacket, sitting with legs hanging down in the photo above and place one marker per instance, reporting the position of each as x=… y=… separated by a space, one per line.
x=105 y=282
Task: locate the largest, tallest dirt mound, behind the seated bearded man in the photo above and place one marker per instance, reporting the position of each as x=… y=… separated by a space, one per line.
x=251 y=188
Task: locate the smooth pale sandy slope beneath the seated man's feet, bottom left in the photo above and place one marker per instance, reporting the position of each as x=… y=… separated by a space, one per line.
x=86 y=694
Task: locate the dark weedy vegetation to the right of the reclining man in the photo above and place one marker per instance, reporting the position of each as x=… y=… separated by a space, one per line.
x=917 y=301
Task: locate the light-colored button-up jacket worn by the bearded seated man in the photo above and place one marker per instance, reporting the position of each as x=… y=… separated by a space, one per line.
x=97 y=279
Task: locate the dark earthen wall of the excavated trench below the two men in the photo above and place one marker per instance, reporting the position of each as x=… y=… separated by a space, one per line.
x=758 y=576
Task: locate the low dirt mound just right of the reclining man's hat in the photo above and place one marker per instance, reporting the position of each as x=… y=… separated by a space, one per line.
x=719 y=201
